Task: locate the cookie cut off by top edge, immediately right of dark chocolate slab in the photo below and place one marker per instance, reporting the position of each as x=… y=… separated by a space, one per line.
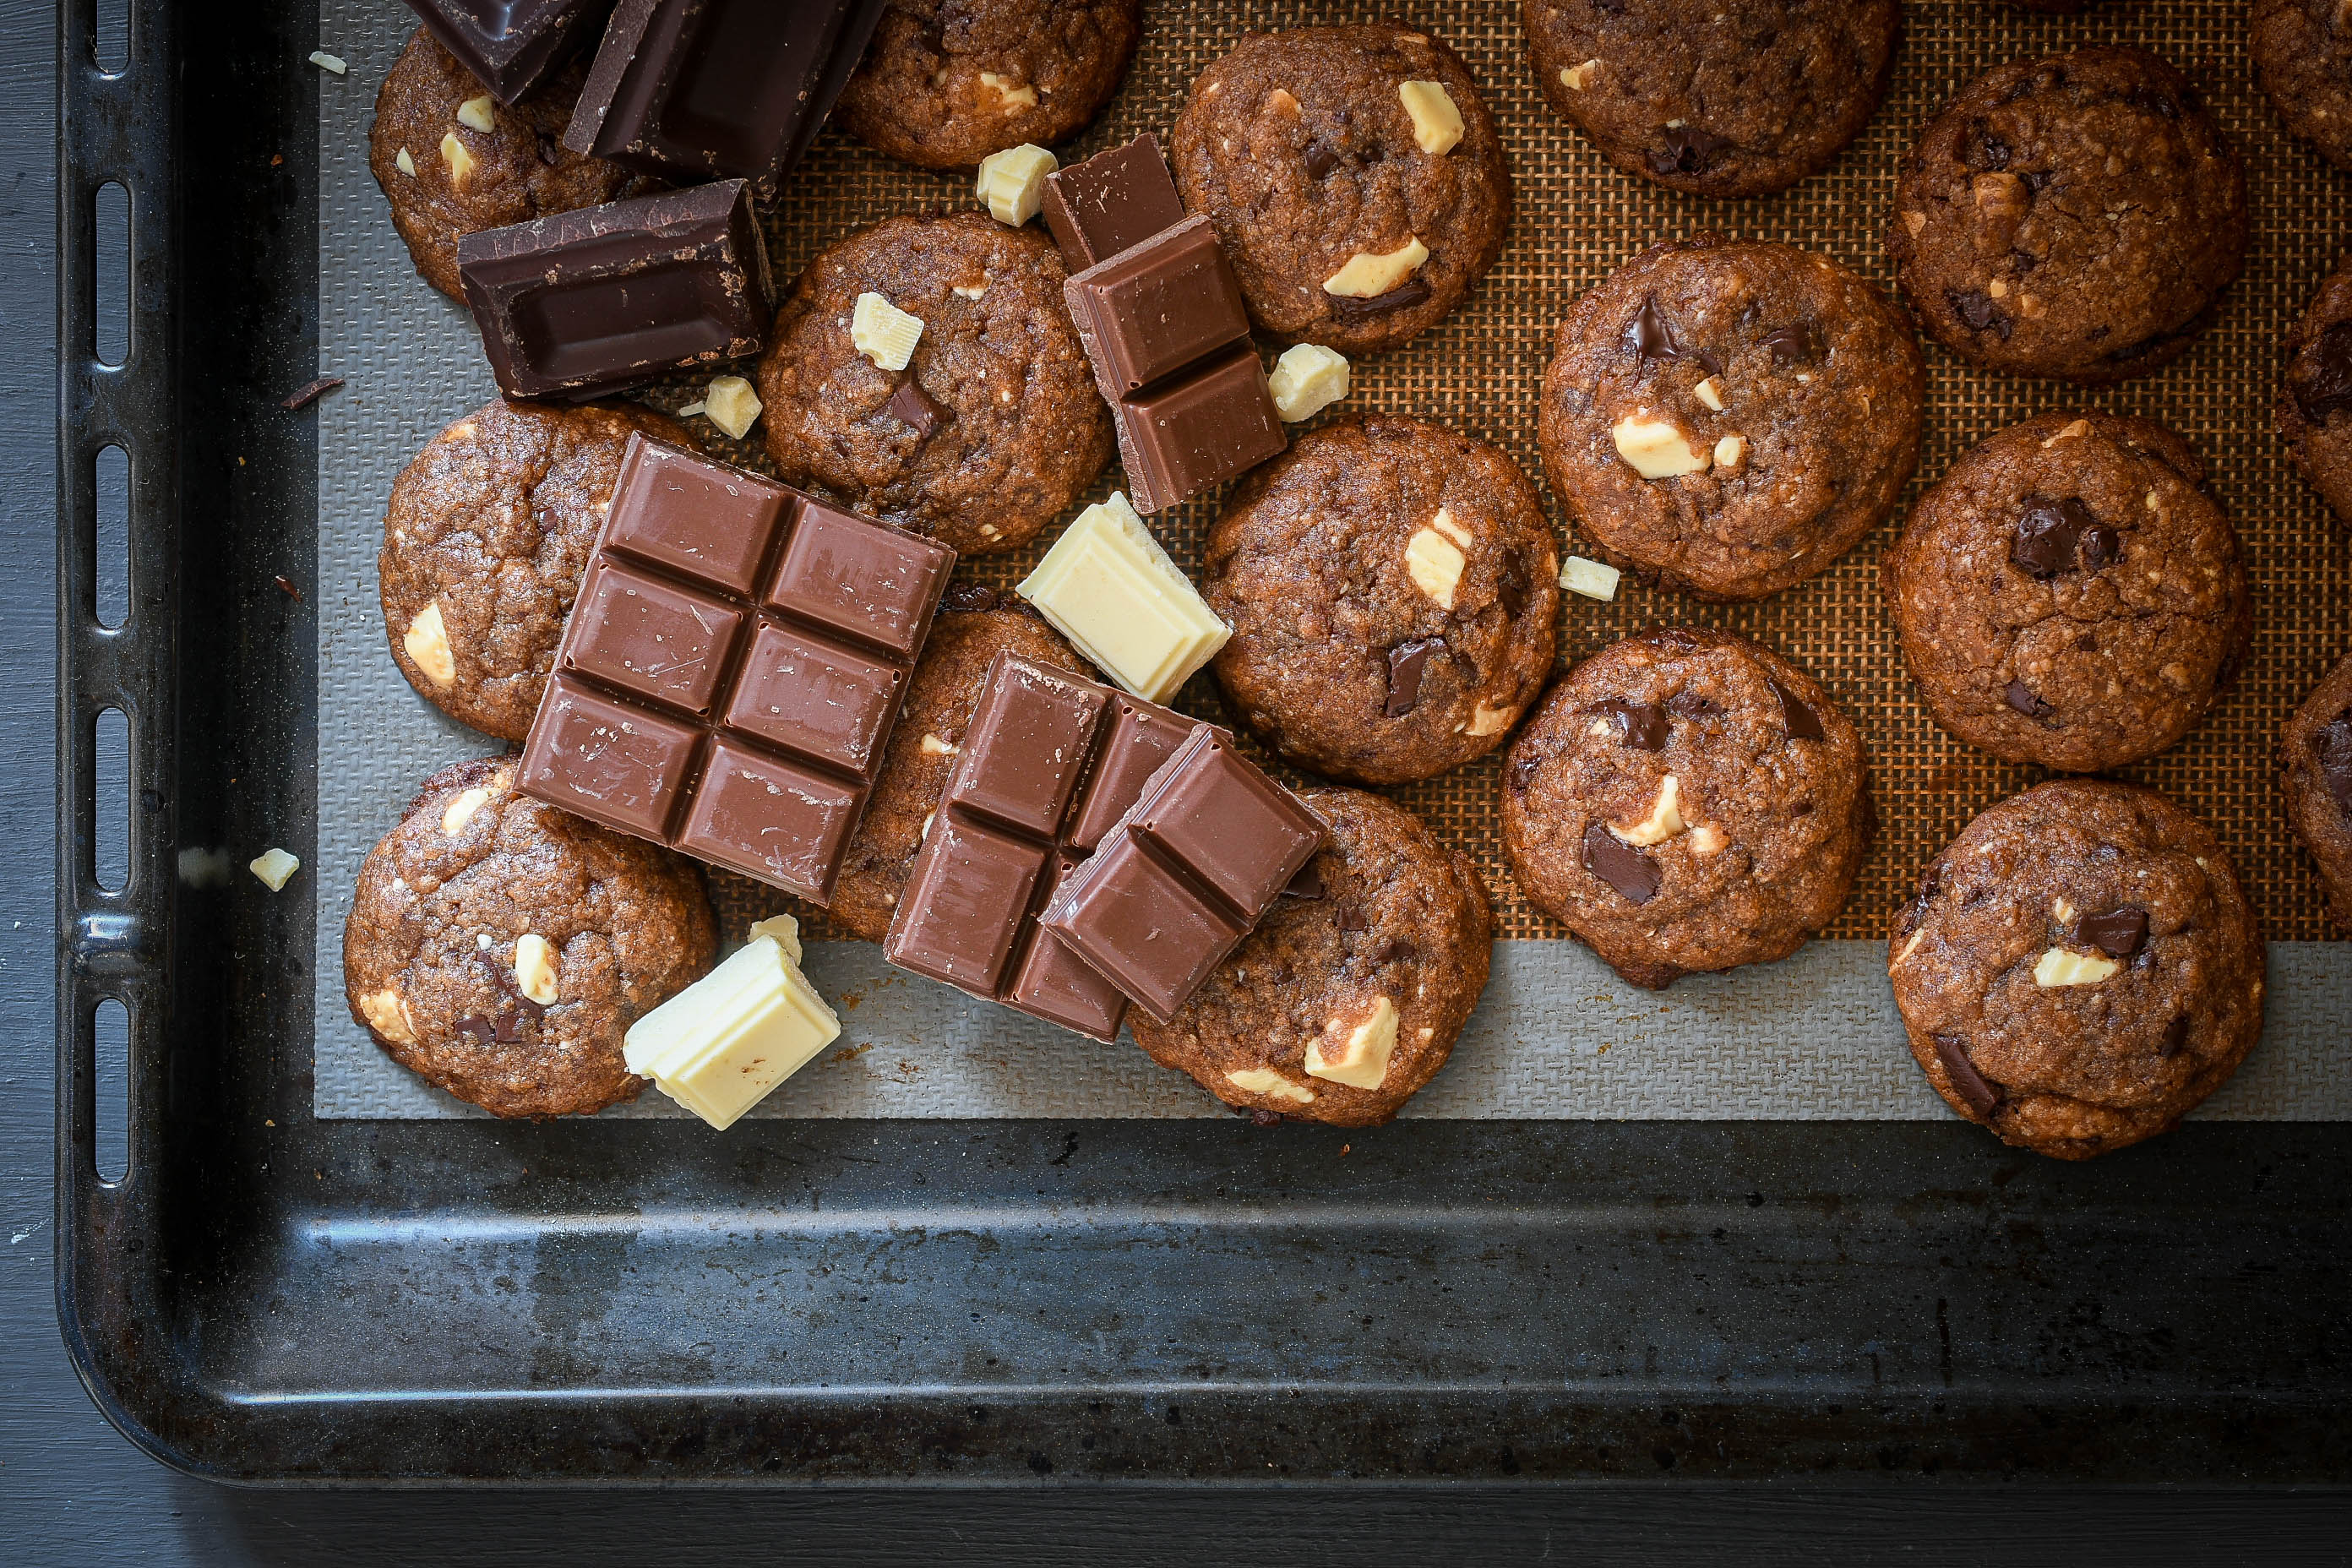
x=947 y=83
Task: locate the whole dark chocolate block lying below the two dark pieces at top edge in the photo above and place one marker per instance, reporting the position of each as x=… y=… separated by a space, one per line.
x=603 y=297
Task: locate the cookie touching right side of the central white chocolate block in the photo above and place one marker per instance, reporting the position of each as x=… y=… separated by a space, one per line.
x=1391 y=591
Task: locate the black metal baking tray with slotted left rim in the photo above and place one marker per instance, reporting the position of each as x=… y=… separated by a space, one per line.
x=276 y=1299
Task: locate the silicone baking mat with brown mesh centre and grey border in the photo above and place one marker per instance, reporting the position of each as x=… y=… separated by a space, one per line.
x=1558 y=1036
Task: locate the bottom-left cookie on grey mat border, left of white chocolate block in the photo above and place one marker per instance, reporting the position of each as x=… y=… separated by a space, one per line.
x=500 y=949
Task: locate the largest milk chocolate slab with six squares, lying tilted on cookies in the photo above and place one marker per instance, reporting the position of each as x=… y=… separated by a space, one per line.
x=733 y=669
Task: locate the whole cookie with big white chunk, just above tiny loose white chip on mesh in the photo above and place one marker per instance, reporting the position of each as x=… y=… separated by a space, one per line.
x=1730 y=417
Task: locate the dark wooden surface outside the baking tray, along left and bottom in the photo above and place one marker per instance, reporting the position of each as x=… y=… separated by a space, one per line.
x=72 y=1492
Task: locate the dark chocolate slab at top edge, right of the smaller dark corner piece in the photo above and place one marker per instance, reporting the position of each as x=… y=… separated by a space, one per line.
x=711 y=88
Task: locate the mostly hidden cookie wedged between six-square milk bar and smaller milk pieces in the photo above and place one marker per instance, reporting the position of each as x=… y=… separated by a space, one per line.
x=973 y=626
